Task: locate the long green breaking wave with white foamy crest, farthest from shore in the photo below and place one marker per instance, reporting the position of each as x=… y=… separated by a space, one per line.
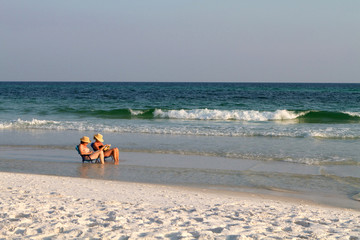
x=303 y=116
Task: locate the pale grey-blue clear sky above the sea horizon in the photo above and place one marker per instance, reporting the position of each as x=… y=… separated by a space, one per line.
x=180 y=40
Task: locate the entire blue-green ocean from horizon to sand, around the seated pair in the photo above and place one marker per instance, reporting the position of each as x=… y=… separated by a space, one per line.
x=277 y=138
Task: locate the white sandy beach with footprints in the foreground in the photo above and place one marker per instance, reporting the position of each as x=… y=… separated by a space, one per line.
x=50 y=207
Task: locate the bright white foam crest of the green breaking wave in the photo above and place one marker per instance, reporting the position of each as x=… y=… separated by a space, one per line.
x=242 y=115
